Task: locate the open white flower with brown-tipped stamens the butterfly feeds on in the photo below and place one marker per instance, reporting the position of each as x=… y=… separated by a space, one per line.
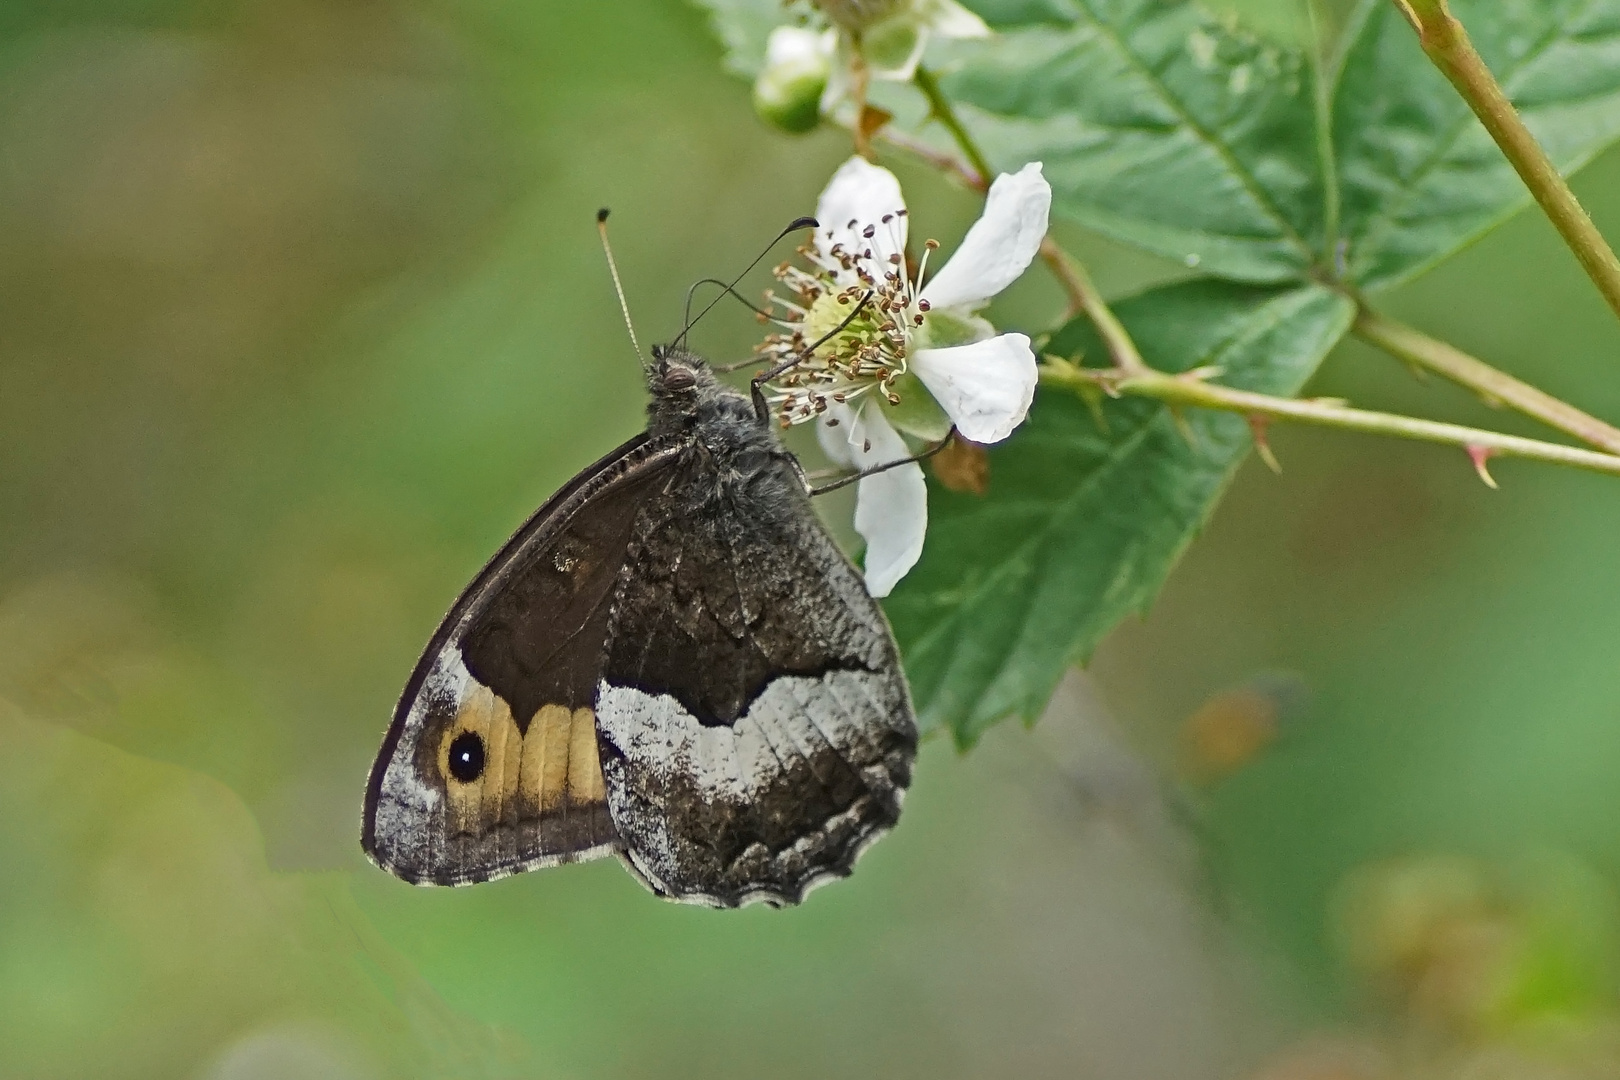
x=914 y=357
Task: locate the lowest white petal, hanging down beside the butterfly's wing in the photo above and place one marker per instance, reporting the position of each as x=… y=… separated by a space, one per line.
x=892 y=508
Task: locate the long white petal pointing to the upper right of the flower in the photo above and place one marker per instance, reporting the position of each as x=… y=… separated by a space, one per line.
x=1000 y=245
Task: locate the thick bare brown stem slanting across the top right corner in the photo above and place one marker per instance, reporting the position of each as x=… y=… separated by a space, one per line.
x=1447 y=45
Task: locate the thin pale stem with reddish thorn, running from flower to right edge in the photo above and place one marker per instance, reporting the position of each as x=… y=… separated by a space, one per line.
x=1193 y=391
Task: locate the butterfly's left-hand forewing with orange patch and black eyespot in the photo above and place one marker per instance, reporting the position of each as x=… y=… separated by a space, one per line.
x=492 y=762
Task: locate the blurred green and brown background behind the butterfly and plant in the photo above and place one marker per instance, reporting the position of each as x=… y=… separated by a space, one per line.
x=302 y=312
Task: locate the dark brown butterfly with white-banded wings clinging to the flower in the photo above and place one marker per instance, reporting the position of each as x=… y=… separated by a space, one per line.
x=673 y=663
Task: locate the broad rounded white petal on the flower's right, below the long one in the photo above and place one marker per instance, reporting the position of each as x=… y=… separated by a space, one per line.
x=984 y=388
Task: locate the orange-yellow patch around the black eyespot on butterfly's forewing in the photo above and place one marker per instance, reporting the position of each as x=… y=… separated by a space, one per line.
x=547 y=772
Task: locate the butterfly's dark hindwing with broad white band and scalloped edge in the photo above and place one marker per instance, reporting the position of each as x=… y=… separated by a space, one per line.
x=756 y=728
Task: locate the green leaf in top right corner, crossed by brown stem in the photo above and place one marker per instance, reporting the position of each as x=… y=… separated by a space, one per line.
x=1418 y=174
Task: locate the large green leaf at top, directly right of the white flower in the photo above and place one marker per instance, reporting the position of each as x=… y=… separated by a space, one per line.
x=1159 y=125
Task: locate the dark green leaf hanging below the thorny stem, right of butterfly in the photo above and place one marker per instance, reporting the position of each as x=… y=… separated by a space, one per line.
x=1081 y=525
